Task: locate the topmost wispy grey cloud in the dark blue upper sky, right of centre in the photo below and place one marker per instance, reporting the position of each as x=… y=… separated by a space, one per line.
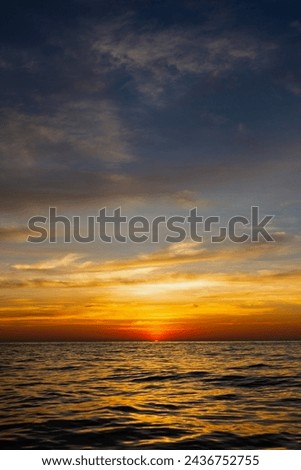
x=154 y=58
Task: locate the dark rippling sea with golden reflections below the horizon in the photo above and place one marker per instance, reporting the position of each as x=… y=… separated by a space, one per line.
x=150 y=395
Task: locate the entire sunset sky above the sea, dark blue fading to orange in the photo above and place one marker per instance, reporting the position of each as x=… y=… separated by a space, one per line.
x=156 y=108
